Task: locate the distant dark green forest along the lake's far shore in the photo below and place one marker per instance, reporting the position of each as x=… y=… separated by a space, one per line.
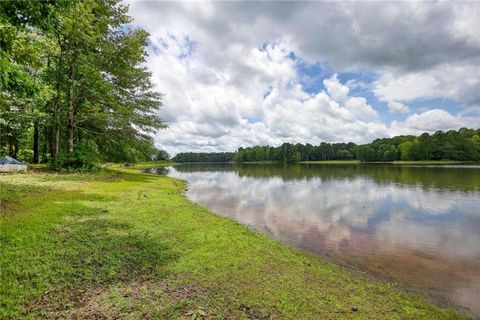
x=461 y=145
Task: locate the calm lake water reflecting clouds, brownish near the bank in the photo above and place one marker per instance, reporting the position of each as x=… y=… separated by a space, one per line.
x=418 y=226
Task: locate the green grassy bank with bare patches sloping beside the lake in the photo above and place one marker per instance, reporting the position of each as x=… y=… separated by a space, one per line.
x=120 y=244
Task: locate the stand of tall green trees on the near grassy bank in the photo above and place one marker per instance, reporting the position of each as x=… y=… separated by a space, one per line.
x=73 y=85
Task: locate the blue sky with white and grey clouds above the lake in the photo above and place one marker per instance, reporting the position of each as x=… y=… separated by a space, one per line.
x=239 y=74
